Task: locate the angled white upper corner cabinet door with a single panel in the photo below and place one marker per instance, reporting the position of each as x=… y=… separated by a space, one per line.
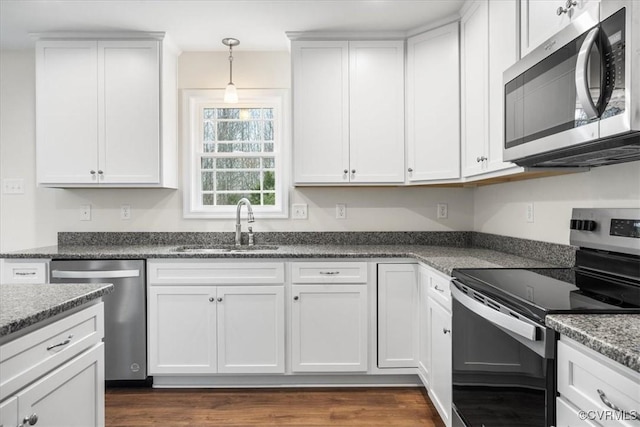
x=433 y=105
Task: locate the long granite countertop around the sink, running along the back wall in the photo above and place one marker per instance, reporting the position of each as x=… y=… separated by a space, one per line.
x=442 y=258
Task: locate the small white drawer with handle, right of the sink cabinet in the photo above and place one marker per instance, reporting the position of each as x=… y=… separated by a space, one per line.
x=329 y=272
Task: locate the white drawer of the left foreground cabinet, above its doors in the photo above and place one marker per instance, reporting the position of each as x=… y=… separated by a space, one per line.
x=30 y=356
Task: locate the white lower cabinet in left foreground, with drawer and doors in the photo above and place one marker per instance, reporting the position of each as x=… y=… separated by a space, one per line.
x=54 y=376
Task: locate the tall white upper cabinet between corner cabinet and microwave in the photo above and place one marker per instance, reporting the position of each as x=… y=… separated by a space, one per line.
x=489 y=46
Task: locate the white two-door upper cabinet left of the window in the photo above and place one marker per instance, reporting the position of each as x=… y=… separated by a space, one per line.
x=105 y=113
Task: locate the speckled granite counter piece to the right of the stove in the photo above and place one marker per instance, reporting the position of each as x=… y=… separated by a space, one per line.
x=616 y=336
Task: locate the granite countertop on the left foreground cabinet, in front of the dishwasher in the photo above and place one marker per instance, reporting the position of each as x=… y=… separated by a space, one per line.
x=23 y=305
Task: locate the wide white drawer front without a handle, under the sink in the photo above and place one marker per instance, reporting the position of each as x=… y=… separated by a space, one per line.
x=206 y=272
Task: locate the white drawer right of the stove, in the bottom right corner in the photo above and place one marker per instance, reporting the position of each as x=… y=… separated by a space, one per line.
x=587 y=379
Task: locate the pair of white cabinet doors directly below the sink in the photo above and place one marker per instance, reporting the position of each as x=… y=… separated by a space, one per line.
x=216 y=329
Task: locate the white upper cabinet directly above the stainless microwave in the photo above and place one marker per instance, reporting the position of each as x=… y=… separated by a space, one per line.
x=539 y=19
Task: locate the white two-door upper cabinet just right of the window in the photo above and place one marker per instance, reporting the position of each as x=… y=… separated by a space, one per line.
x=348 y=124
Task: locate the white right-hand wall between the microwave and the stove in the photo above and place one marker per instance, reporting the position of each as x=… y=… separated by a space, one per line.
x=500 y=209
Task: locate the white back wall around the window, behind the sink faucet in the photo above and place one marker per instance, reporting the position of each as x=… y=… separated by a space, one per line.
x=34 y=218
